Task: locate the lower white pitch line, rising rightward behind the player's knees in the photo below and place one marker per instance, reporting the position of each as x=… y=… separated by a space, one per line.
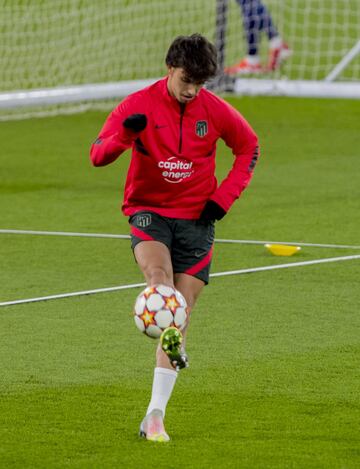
x=218 y=274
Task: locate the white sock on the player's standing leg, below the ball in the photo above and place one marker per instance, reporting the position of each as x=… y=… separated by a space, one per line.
x=163 y=385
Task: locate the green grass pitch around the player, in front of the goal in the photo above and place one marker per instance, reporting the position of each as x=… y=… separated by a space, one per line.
x=274 y=376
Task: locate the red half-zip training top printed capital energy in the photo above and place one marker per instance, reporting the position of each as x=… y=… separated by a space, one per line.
x=172 y=169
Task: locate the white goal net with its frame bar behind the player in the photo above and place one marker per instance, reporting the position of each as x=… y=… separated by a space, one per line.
x=69 y=55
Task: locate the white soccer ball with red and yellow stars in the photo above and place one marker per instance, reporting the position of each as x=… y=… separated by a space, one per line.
x=159 y=307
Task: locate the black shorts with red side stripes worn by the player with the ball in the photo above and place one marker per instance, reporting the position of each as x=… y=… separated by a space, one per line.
x=190 y=242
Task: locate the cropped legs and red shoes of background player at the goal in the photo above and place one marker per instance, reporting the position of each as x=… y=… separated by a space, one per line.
x=256 y=18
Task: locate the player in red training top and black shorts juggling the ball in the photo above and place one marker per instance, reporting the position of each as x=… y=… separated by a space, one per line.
x=172 y=197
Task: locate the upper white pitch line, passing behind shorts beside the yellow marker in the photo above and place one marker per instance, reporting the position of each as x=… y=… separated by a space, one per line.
x=218 y=240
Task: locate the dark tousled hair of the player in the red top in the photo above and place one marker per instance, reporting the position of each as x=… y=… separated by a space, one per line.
x=196 y=55
